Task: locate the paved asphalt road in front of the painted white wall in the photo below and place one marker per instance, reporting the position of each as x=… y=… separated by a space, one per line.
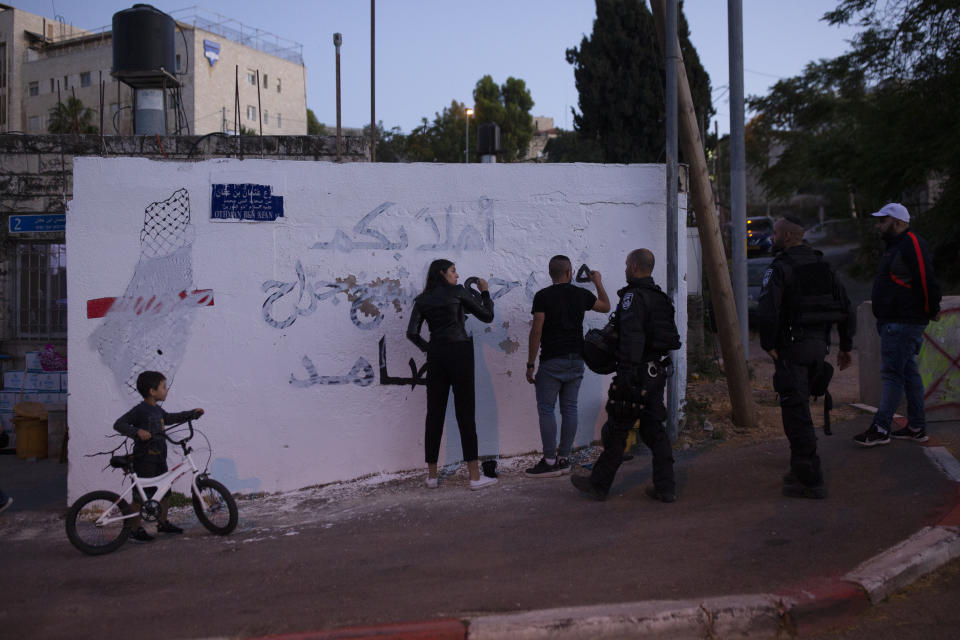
x=359 y=554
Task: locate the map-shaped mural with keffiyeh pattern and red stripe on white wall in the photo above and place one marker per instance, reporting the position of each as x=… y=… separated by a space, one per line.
x=147 y=328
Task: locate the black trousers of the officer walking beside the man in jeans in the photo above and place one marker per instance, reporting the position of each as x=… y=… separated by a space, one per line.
x=652 y=432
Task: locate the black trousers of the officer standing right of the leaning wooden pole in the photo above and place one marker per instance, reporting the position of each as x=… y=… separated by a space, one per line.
x=796 y=365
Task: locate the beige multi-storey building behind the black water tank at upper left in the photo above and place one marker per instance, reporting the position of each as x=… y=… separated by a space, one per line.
x=43 y=61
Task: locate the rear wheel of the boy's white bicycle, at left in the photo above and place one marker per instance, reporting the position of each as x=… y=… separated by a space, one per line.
x=92 y=538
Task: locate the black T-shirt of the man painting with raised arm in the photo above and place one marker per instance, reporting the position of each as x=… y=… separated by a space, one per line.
x=563 y=306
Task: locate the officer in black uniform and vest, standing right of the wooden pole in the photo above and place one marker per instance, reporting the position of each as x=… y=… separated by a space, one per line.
x=801 y=299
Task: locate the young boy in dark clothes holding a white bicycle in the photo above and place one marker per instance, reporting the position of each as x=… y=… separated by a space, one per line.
x=145 y=425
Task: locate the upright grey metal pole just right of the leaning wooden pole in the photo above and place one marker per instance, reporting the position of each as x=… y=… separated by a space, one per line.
x=738 y=180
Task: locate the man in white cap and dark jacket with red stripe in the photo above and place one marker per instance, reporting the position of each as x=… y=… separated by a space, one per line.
x=906 y=296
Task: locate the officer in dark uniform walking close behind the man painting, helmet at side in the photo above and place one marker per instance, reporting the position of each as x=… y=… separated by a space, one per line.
x=647 y=332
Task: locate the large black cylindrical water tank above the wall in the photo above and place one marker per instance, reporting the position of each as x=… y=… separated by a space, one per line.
x=143 y=41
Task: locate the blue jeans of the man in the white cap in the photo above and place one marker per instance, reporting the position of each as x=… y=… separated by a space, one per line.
x=899 y=346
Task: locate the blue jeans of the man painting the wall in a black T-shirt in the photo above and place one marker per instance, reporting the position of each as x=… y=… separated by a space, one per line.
x=558 y=377
